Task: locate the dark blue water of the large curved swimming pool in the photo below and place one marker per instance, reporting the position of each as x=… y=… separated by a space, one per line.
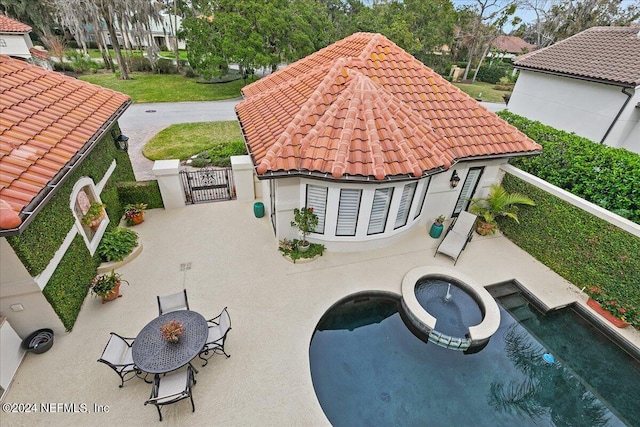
x=368 y=369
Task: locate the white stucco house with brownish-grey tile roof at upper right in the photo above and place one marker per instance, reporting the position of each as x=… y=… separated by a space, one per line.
x=587 y=84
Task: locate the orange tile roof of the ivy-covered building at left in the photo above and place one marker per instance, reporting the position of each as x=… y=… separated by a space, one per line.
x=48 y=121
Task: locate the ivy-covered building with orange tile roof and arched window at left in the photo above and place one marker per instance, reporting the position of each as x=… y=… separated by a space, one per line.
x=58 y=152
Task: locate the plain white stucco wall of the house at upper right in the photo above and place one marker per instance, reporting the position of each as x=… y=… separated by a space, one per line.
x=573 y=105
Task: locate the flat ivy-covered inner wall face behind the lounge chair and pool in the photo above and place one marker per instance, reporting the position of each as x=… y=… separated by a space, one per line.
x=582 y=248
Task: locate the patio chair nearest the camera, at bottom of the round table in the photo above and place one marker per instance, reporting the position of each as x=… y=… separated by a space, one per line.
x=171 y=388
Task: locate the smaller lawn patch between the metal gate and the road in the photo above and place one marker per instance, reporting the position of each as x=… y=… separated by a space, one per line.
x=184 y=140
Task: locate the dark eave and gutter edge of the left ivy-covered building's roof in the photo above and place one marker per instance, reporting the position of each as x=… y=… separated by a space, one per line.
x=29 y=212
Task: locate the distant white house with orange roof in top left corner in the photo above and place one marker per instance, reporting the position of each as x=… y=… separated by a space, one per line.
x=15 y=42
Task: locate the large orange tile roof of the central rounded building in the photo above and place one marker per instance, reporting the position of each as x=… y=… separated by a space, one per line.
x=363 y=107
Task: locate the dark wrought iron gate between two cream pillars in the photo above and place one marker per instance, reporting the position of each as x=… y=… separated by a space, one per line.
x=208 y=185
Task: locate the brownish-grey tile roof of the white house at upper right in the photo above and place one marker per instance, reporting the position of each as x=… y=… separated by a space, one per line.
x=607 y=54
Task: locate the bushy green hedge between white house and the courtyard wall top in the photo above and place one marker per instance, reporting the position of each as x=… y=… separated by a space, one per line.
x=606 y=176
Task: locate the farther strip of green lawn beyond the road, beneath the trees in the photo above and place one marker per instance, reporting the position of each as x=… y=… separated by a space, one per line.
x=146 y=87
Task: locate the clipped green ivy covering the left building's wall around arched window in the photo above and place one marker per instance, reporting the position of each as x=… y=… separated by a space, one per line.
x=36 y=246
